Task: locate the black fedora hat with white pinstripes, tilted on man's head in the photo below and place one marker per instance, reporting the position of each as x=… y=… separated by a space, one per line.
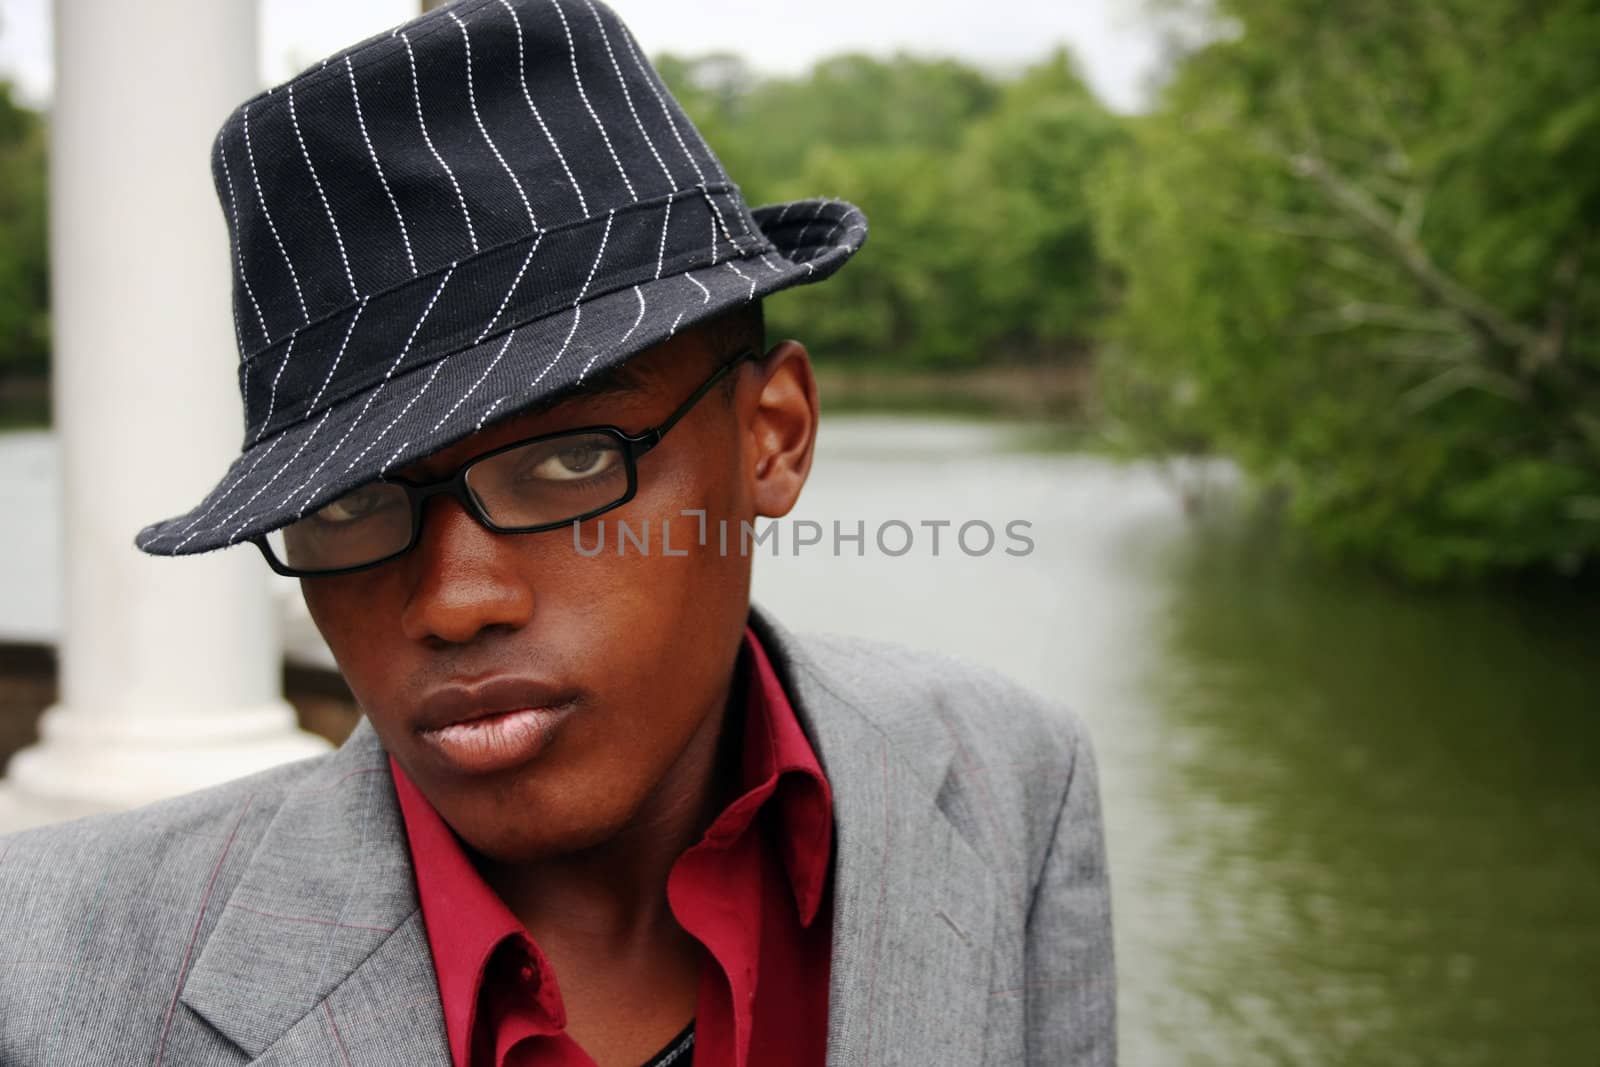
x=444 y=225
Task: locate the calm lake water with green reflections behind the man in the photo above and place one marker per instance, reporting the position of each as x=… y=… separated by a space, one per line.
x=1348 y=823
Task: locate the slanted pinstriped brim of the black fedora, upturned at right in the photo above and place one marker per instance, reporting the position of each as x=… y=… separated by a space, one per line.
x=396 y=423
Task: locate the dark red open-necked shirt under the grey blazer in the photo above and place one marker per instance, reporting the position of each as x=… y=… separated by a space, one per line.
x=753 y=892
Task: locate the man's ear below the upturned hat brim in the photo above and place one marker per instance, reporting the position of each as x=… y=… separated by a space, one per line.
x=780 y=420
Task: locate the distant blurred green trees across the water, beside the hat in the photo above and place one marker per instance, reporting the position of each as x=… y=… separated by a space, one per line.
x=983 y=244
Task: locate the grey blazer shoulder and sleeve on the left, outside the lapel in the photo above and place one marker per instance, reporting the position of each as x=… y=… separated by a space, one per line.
x=102 y=917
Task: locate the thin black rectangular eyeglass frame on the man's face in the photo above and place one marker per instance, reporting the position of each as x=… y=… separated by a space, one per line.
x=420 y=494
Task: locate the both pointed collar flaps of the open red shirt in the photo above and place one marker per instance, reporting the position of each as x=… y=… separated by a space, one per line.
x=466 y=921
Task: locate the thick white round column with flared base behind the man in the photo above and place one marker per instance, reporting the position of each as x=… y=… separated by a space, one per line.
x=169 y=668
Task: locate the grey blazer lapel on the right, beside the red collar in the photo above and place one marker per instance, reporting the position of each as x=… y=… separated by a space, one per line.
x=914 y=906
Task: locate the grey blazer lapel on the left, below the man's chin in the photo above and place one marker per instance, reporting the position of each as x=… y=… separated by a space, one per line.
x=321 y=956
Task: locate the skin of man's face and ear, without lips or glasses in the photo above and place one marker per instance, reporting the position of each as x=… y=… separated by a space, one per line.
x=642 y=644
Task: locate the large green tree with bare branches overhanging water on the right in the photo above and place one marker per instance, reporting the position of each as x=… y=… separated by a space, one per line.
x=1358 y=254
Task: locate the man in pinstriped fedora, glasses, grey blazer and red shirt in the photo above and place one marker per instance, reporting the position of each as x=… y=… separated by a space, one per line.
x=494 y=294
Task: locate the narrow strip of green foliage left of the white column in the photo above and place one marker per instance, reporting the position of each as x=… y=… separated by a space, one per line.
x=25 y=266
